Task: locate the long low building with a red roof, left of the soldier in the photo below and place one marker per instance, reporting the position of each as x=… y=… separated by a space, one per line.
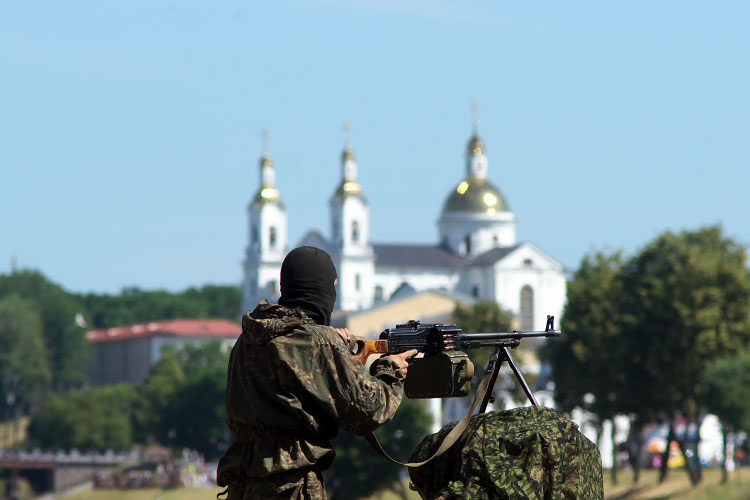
x=125 y=353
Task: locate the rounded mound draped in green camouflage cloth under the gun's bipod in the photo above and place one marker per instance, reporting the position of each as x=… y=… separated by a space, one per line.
x=524 y=453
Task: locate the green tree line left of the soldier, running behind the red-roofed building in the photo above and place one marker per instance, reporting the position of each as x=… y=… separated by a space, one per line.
x=43 y=346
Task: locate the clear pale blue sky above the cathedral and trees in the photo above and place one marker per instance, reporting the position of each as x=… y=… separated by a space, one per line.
x=130 y=131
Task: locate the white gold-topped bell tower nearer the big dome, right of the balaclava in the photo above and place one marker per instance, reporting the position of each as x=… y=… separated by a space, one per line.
x=350 y=249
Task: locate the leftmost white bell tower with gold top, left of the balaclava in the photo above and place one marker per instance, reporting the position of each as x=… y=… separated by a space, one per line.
x=267 y=230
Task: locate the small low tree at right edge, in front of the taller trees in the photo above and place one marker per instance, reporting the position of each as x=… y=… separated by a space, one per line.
x=725 y=392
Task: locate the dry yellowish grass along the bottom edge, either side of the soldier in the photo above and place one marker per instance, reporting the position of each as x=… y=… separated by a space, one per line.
x=676 y=487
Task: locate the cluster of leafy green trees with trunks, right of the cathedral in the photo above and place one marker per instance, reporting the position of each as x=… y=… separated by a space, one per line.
x=661 y=337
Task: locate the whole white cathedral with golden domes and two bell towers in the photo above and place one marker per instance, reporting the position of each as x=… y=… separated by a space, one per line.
x=477 y=254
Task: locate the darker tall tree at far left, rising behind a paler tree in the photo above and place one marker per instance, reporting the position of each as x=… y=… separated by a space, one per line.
x=64 y=337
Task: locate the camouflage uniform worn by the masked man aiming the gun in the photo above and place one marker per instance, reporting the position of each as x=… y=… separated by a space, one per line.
x=291 y=384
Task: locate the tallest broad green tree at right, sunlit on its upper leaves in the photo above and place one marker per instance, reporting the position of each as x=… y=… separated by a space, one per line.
x=684 y=304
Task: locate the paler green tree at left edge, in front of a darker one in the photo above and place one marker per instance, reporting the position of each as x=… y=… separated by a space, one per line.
x=24 y=371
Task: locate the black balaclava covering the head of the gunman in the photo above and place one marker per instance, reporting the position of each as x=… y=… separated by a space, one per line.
x=307 y=276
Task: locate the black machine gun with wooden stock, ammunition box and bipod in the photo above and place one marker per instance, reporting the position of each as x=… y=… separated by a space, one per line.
x=445 y=370
